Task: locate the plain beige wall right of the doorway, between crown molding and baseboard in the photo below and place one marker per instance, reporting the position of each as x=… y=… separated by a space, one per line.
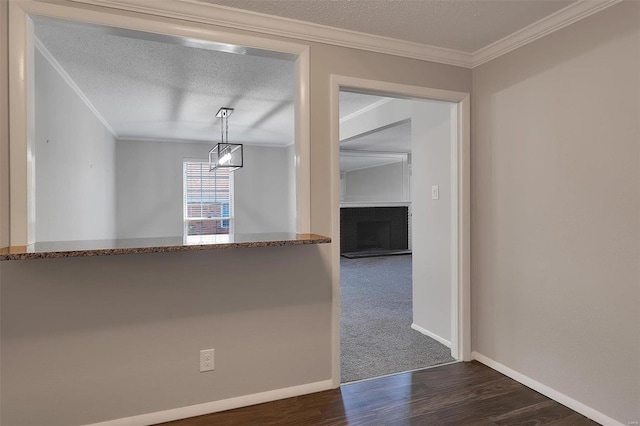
x=556 y=211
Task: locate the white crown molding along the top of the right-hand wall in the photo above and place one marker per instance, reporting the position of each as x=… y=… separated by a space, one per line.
x=562 y=18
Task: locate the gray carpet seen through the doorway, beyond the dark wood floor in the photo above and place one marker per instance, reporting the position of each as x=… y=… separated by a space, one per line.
x=376 y=333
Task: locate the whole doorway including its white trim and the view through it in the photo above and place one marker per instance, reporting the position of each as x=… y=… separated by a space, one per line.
x=402 y=197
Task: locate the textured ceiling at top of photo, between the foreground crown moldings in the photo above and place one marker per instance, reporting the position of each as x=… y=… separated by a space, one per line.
x=465 y=25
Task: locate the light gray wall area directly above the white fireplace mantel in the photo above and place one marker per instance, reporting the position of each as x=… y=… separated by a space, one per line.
x=381 y=183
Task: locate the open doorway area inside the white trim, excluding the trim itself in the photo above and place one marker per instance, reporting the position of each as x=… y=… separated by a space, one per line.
x=384 y=328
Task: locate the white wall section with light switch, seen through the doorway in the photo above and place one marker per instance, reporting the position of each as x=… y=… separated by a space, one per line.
x=431 y=140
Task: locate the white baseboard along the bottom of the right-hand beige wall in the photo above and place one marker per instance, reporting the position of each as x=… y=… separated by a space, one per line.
x=547 y=391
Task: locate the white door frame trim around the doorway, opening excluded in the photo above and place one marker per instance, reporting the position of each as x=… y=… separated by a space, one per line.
x=461 y=181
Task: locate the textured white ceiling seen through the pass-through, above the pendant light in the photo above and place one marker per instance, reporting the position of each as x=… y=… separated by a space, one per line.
x=159 y=90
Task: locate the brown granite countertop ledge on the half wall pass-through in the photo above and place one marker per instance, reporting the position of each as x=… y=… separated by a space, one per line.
x=160 y=245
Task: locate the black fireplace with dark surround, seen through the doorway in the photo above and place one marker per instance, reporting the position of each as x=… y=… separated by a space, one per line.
x=374 y=228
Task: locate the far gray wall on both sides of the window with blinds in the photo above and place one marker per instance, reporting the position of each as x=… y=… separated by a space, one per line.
x=150 y=188
